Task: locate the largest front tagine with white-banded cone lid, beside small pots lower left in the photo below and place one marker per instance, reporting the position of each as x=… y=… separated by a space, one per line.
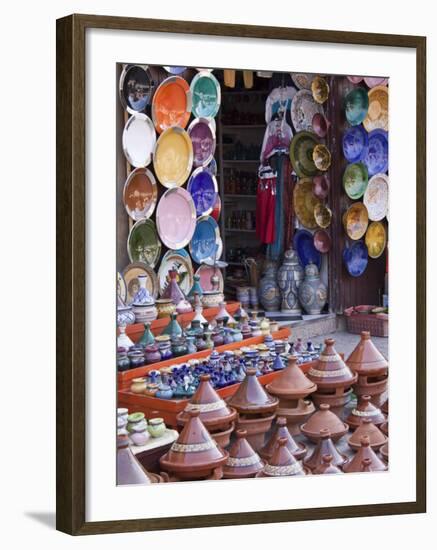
x=195 y=454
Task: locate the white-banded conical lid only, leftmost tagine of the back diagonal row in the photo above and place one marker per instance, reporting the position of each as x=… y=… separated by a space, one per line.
x=214 y=412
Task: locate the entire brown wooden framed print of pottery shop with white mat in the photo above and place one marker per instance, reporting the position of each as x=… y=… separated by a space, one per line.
x=230 y=328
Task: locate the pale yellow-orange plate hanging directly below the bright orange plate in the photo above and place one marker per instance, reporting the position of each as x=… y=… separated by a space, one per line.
x=173 y=157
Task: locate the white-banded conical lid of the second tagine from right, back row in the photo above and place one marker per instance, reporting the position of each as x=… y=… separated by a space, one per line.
x=331 y=371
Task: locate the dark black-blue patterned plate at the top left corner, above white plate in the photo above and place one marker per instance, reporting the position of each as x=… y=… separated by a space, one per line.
x=135 y=88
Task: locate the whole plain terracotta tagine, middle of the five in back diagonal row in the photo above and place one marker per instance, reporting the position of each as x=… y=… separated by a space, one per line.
x=291 y=386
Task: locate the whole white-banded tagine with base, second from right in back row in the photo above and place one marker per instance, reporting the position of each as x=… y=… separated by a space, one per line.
x=334 y=379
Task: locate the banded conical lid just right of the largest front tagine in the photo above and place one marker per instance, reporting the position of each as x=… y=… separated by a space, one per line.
x=242 y=461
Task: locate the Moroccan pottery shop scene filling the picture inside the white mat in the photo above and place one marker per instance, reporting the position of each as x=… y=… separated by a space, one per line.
x=252 y=217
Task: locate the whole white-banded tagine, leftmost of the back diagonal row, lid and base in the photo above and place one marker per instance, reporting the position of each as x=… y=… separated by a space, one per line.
x=215 y=414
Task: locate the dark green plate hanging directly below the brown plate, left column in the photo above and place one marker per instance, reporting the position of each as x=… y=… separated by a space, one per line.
x=143 y=244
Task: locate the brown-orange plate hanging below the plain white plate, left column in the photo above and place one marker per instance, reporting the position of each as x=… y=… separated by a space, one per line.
x=140 y=193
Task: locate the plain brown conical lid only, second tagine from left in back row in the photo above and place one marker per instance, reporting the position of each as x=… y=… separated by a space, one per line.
x=251 y=397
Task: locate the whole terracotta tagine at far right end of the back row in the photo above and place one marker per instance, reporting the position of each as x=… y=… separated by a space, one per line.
x=372 y=369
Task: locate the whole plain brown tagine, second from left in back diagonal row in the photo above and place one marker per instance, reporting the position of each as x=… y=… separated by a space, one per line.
x=255 y=407
